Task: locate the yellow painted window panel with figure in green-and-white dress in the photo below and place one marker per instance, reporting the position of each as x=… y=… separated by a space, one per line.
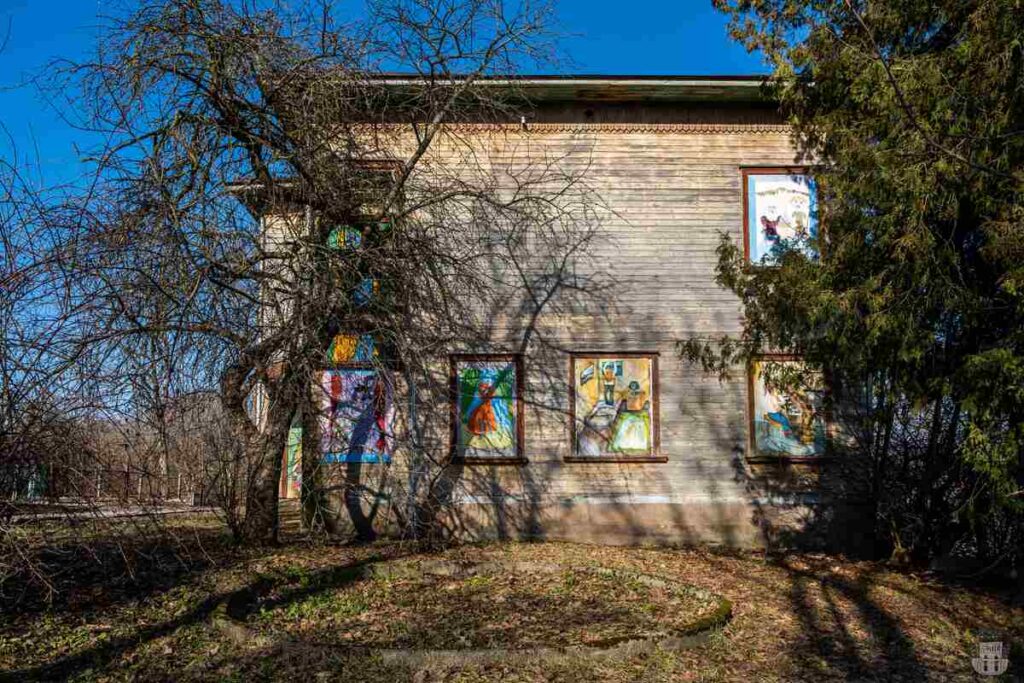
x=615 y=406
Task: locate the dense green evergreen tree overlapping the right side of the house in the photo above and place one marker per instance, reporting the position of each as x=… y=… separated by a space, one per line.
x=911 y=114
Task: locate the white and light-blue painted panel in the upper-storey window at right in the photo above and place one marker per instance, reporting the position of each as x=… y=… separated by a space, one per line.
x=782 y=215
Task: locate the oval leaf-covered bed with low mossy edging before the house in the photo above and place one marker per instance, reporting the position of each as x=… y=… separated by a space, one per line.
x=449 y=606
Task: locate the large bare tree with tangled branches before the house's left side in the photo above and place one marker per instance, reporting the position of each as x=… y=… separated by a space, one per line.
x=268 y=188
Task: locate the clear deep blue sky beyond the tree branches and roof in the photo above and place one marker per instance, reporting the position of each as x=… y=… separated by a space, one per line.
x=654 y=37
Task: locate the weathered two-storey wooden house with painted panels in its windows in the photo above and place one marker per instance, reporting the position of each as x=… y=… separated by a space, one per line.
x=589 y=426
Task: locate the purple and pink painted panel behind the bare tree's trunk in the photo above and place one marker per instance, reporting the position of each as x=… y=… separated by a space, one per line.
x=359 y=416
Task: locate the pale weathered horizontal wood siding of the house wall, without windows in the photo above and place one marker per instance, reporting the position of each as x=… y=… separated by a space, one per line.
x=670 y=197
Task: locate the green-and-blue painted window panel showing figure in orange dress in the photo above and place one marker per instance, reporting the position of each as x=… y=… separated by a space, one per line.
x=487 y=408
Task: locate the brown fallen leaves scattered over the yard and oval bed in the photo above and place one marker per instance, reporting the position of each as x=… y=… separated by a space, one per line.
x=803 y=618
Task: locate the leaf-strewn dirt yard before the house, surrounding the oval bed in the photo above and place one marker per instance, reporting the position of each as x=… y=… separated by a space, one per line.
x=267 y=615
